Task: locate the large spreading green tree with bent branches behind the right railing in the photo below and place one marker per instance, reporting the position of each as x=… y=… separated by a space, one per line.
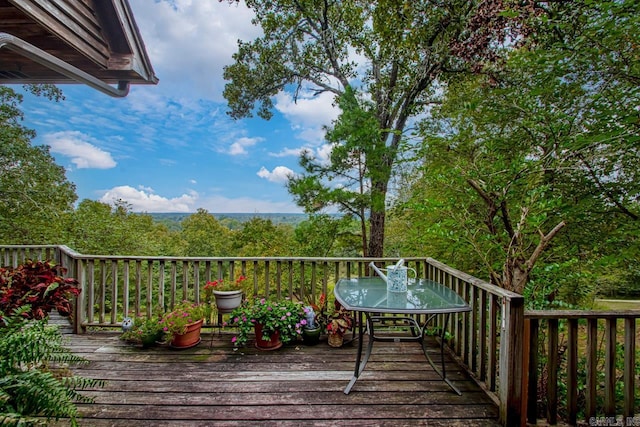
x=549 y=139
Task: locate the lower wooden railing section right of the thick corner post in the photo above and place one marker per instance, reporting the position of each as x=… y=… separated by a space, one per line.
x=584 y=364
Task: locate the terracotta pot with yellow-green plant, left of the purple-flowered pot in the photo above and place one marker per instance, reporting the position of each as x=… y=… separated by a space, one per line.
x=184 y=324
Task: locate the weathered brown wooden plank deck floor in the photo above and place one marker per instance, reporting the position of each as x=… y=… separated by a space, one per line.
x=213 y=384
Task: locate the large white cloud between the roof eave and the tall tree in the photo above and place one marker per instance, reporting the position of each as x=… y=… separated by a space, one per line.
x=190 y=41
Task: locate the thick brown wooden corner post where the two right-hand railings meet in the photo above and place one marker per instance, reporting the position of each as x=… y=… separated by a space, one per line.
x=511 y=360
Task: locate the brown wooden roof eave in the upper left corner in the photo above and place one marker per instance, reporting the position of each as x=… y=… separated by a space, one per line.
x=99 y=37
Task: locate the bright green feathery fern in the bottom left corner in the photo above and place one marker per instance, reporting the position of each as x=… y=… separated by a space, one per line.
x=35 y=382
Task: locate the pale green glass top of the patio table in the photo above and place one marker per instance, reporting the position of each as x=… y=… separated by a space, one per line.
x=422 y=296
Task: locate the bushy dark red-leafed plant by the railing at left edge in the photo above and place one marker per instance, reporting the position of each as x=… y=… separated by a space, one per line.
x=37 y=284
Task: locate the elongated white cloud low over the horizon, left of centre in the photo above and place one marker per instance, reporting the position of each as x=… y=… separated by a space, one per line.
x=143 y=200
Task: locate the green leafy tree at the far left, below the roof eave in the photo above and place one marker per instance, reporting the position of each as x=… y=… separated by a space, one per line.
x=35 y=195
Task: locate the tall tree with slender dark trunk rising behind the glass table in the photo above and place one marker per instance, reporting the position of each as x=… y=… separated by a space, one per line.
x=403 y=48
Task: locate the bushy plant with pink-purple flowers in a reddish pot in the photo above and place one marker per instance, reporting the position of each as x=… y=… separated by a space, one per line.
x=274 y=323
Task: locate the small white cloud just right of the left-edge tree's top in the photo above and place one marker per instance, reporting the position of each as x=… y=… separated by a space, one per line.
x=80 y=148
